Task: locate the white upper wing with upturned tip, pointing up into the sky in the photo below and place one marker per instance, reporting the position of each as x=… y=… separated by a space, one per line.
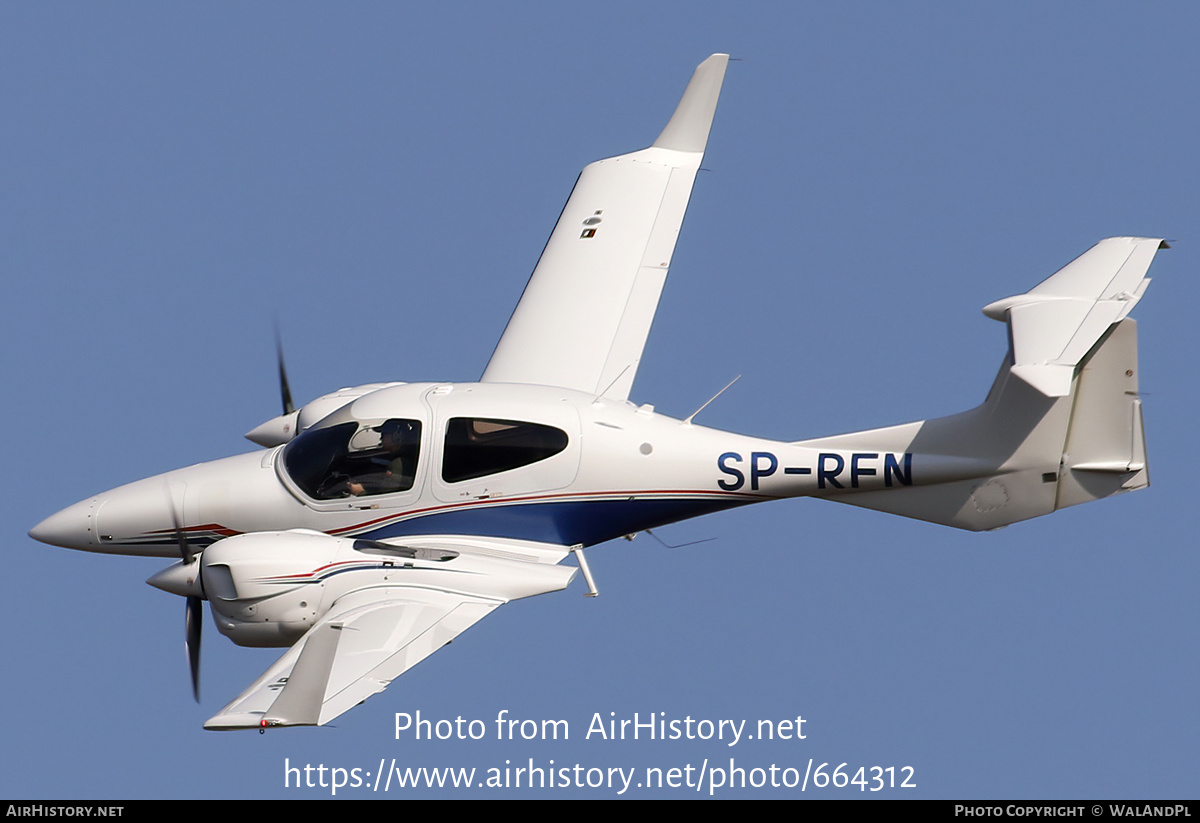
x=587 y=310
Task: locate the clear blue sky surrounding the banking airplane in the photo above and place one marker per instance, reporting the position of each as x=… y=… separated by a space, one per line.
x=382 y=178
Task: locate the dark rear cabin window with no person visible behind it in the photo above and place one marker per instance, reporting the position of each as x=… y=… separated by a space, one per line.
x=477 y=447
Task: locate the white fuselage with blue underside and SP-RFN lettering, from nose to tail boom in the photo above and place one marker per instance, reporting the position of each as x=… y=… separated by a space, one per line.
x=616 y=470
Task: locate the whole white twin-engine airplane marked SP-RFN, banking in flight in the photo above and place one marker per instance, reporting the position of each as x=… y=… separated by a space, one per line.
x=385 y=520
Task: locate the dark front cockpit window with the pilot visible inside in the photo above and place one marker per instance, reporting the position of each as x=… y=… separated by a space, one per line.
x=356 y=460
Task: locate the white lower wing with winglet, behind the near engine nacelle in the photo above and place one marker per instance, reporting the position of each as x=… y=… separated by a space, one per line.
x=374 y=635
